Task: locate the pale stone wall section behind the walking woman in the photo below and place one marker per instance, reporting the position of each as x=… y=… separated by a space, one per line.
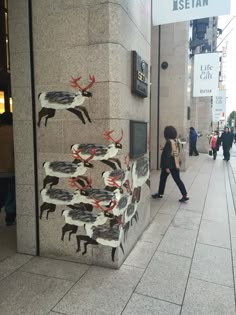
x=174 y=83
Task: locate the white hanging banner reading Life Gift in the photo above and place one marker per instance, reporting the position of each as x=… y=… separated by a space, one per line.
x=206 y=74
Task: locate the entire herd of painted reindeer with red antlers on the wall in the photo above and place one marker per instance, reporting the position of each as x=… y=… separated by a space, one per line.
x=92 y=215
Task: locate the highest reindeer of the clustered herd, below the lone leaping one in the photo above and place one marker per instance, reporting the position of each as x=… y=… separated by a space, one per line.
x=99 y=152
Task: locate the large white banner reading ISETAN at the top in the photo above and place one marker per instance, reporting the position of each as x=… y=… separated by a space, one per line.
x=172 y=11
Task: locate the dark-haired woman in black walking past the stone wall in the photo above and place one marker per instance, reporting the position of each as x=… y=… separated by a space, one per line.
x=170 y=164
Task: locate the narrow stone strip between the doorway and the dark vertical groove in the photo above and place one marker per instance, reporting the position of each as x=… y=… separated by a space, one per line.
x=23 y=125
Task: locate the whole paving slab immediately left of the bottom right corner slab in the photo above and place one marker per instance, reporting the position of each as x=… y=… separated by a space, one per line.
x=165 y=278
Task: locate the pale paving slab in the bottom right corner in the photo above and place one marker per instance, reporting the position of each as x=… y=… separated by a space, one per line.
x=205 y=298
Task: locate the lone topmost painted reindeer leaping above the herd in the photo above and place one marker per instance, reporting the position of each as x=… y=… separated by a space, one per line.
x=58 y=100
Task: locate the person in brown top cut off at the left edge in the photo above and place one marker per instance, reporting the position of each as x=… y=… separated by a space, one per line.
x=7 y=174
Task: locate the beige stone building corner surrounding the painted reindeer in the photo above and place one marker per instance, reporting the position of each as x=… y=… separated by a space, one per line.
x=78 y=38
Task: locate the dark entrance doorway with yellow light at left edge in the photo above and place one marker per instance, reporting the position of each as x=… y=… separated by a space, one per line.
x=7 y=228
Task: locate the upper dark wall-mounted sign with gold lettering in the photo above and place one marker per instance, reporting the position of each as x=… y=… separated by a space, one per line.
x=140 y=76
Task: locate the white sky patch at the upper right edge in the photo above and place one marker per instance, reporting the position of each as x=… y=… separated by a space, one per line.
x=231 y=56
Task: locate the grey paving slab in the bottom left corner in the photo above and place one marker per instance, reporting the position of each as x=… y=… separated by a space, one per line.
x=25 y=293
